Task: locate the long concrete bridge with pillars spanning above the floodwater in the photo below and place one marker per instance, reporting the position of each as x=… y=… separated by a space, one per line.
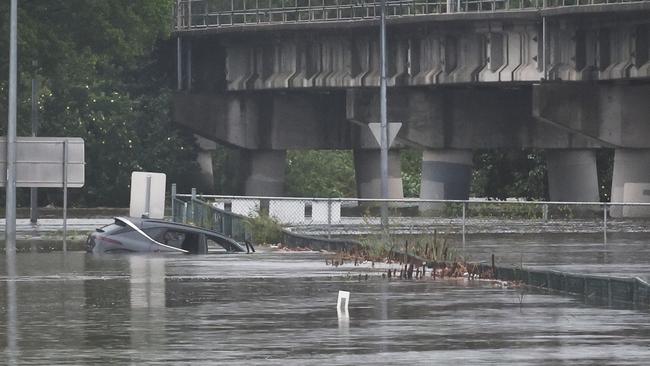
x=570 y=76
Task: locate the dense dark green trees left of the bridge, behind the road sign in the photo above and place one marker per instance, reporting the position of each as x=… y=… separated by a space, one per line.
x=104 y=74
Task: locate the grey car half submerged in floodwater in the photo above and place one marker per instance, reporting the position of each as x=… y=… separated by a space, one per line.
x=150 y=235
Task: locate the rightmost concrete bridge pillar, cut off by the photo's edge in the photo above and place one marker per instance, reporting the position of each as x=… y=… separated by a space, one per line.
x=631 y=181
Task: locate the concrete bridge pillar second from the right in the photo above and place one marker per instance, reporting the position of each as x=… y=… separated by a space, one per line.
x=572 y=175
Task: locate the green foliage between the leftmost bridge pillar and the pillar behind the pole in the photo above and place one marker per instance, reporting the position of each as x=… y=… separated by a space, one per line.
x=320 y=174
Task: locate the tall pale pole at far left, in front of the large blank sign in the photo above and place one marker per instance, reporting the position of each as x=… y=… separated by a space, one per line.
x=10 y=204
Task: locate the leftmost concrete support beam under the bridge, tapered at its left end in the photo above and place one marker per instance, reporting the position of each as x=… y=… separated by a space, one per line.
x=272 y=121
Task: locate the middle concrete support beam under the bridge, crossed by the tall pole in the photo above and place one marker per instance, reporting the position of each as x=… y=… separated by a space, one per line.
x=461 y=118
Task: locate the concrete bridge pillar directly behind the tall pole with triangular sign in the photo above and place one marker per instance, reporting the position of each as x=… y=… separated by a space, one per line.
x=368 y=173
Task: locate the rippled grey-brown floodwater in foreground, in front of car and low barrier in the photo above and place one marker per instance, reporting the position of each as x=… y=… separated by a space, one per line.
x=279 y=308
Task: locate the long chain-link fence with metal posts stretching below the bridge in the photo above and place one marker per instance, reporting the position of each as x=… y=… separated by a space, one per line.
x=328 y=217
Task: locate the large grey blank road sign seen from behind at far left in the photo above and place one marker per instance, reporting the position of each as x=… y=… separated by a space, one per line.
x=39 y=162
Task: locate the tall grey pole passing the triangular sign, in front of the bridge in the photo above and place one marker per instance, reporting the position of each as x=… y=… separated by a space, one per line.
x=384 y=123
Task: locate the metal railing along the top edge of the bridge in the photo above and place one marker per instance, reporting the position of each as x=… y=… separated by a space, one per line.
x=197 y=14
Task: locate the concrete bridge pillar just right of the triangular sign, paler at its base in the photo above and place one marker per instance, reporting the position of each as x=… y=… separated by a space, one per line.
x=446 y=174
